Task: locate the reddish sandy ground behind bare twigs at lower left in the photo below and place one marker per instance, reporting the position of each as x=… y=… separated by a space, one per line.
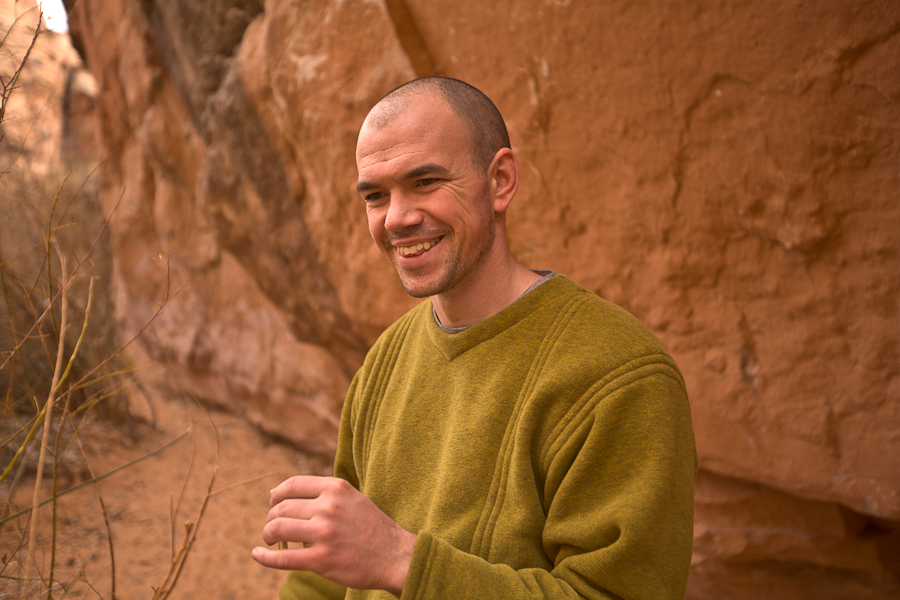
x=146 y=517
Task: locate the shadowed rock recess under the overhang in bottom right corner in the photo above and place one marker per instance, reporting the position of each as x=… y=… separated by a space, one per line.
x=809 y=543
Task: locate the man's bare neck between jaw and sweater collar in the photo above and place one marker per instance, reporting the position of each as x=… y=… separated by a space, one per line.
x=484 y=293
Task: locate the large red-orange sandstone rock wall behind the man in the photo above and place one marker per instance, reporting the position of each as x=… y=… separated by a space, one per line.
x=729 y=172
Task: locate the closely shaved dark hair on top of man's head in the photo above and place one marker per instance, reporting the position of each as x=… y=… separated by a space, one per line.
x=485 y=126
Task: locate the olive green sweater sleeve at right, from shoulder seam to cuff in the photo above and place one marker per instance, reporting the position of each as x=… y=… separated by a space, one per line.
x=619 y=504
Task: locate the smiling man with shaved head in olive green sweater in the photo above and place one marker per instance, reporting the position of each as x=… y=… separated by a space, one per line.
x=513 y=436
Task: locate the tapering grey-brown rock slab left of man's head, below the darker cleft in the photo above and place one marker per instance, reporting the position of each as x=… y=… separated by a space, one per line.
x=244 y=189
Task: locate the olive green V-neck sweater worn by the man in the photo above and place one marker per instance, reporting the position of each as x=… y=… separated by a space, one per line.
x=546 y=452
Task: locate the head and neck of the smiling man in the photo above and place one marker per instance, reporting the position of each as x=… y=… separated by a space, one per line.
x=437 y=205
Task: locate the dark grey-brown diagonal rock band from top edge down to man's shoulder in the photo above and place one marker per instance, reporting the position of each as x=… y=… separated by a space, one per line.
x=244 y=174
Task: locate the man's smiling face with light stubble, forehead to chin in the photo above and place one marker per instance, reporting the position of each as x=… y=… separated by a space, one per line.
x=428 y=208
